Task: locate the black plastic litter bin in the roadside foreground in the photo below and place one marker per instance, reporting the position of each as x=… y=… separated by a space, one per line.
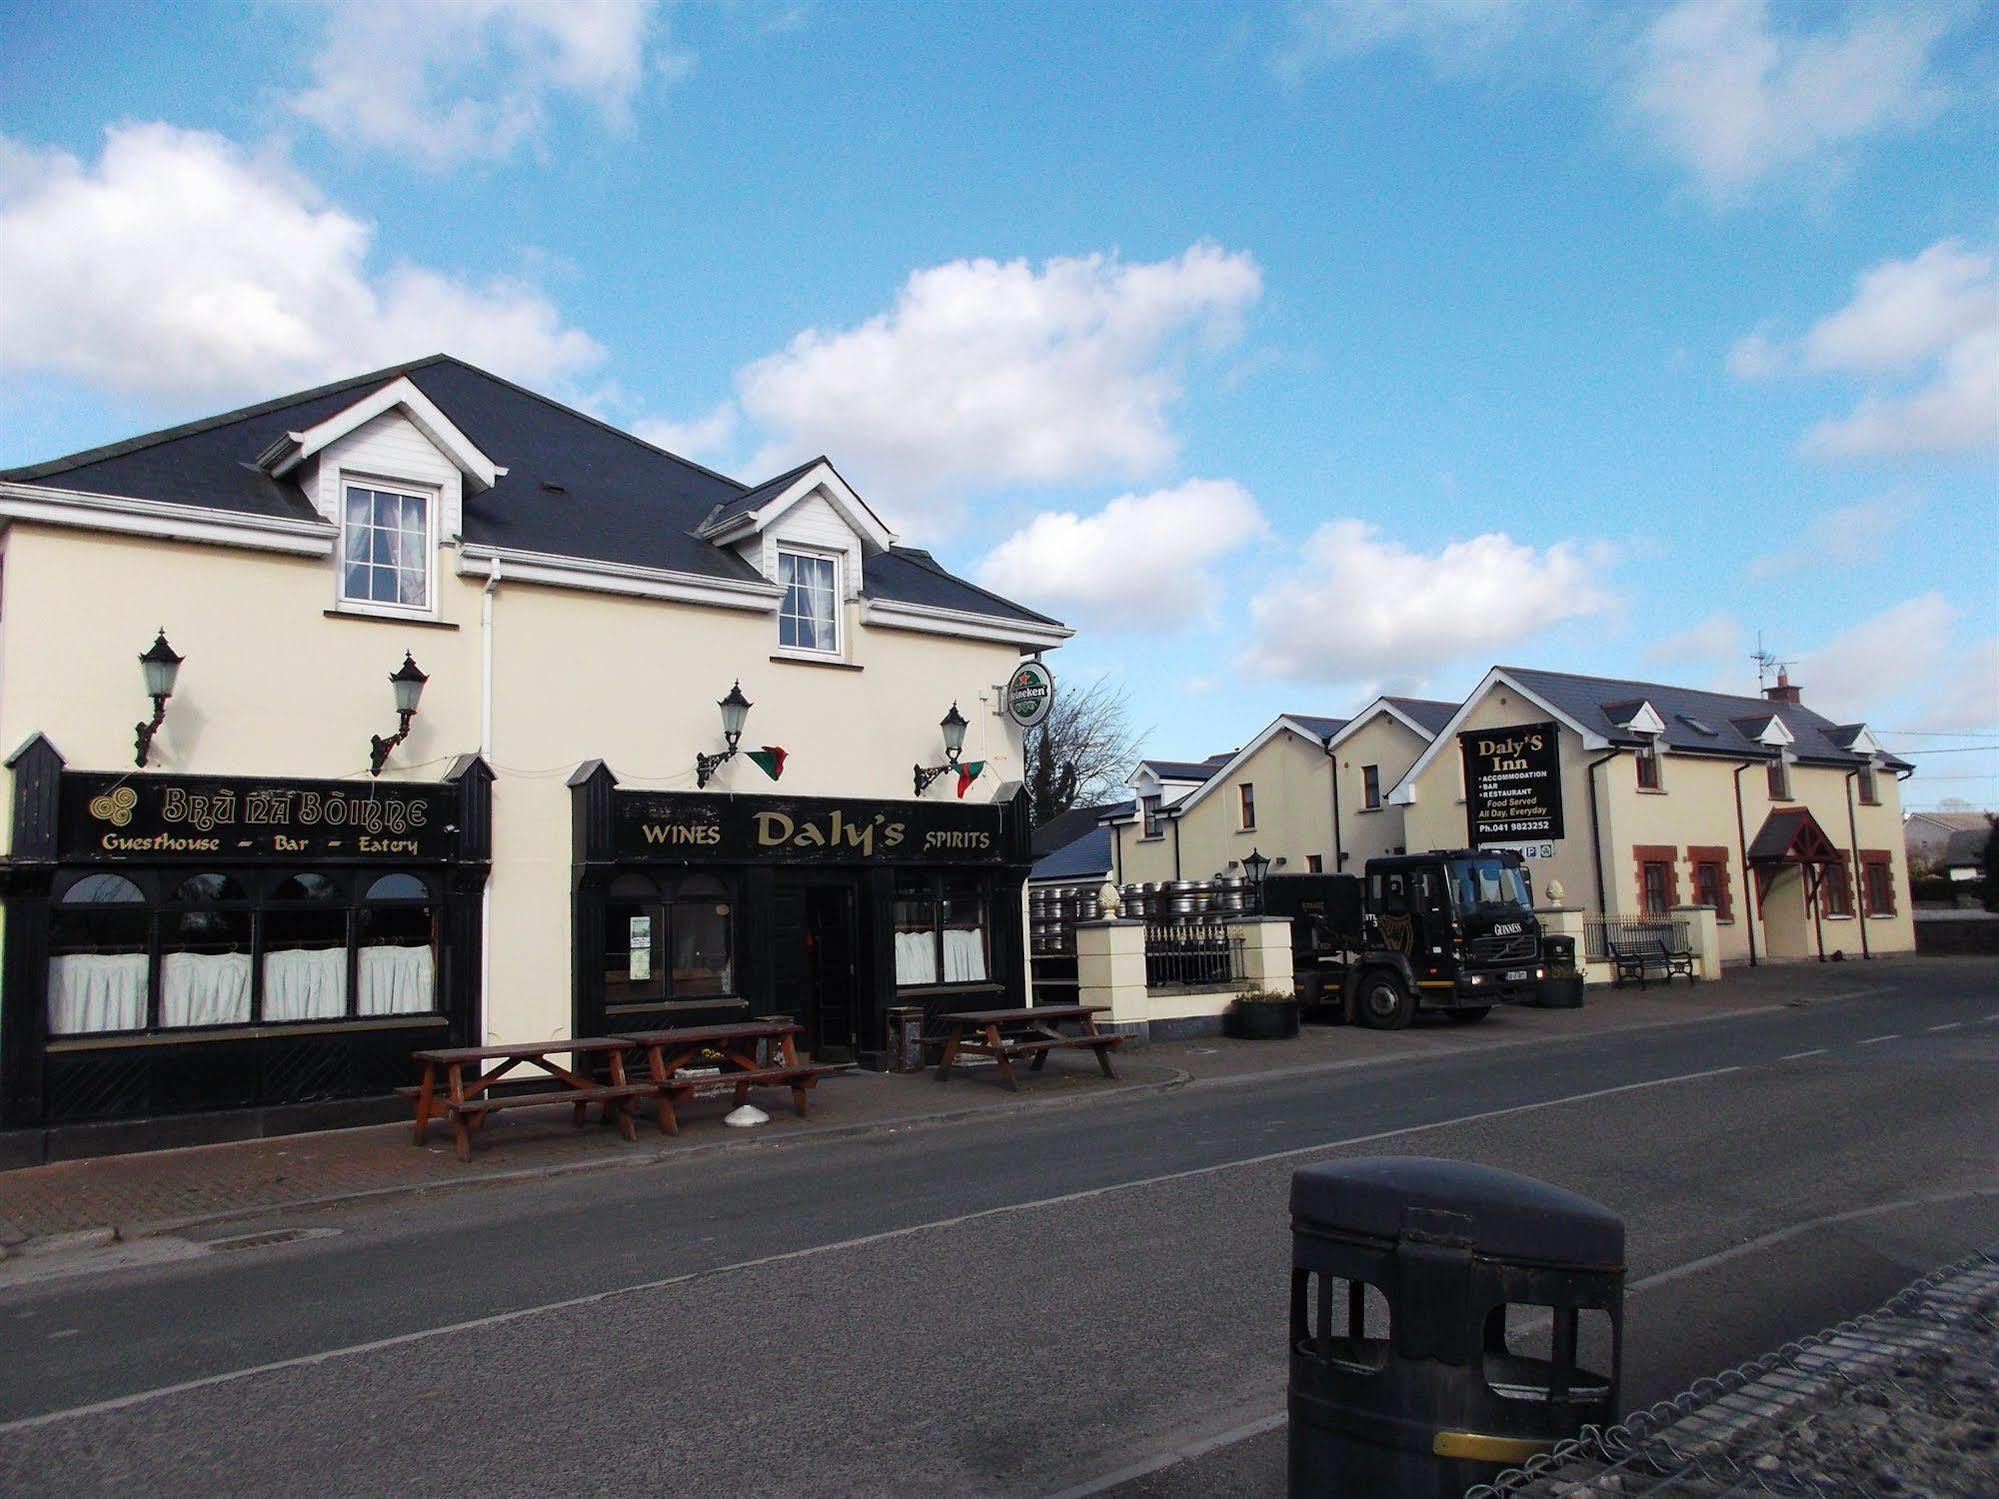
x=1448 y=1322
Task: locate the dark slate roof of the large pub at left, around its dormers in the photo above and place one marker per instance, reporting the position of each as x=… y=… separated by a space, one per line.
x=575 y=487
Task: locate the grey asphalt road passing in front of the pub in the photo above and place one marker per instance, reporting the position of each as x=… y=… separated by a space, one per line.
x=1038 y=1304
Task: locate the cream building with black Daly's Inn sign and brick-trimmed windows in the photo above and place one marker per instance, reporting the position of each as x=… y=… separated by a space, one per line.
x=1782 y=820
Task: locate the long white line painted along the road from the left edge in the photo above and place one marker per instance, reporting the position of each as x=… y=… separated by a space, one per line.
x=809 y=1252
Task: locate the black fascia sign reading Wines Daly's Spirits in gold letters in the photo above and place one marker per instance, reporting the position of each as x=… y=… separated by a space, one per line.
x=803 y=830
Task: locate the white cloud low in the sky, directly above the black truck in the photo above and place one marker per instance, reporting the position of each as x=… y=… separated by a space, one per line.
x=1362 y=607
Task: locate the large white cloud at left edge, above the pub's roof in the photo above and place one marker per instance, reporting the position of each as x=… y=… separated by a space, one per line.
x=183 y=267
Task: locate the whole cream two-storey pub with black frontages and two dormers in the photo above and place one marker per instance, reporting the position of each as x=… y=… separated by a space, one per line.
x=255 y=928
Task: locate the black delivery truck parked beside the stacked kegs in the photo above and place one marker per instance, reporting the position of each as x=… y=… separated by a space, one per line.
x=1450 y=932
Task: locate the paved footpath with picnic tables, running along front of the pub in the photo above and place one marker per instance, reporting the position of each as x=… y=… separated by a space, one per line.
x=95 y=1202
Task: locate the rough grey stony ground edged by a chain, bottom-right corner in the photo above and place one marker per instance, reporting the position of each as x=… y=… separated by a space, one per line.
x=1896 y=1404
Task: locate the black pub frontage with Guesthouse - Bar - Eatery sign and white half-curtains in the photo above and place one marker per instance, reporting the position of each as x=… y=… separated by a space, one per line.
x=205 y=956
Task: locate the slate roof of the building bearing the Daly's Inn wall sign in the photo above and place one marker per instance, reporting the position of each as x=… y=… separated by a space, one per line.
x=1734 y=721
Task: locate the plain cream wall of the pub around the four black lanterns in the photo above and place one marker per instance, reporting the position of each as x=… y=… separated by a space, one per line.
x=275 y=689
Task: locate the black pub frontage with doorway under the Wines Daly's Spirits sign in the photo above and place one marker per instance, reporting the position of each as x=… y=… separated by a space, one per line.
x=831 y=910
